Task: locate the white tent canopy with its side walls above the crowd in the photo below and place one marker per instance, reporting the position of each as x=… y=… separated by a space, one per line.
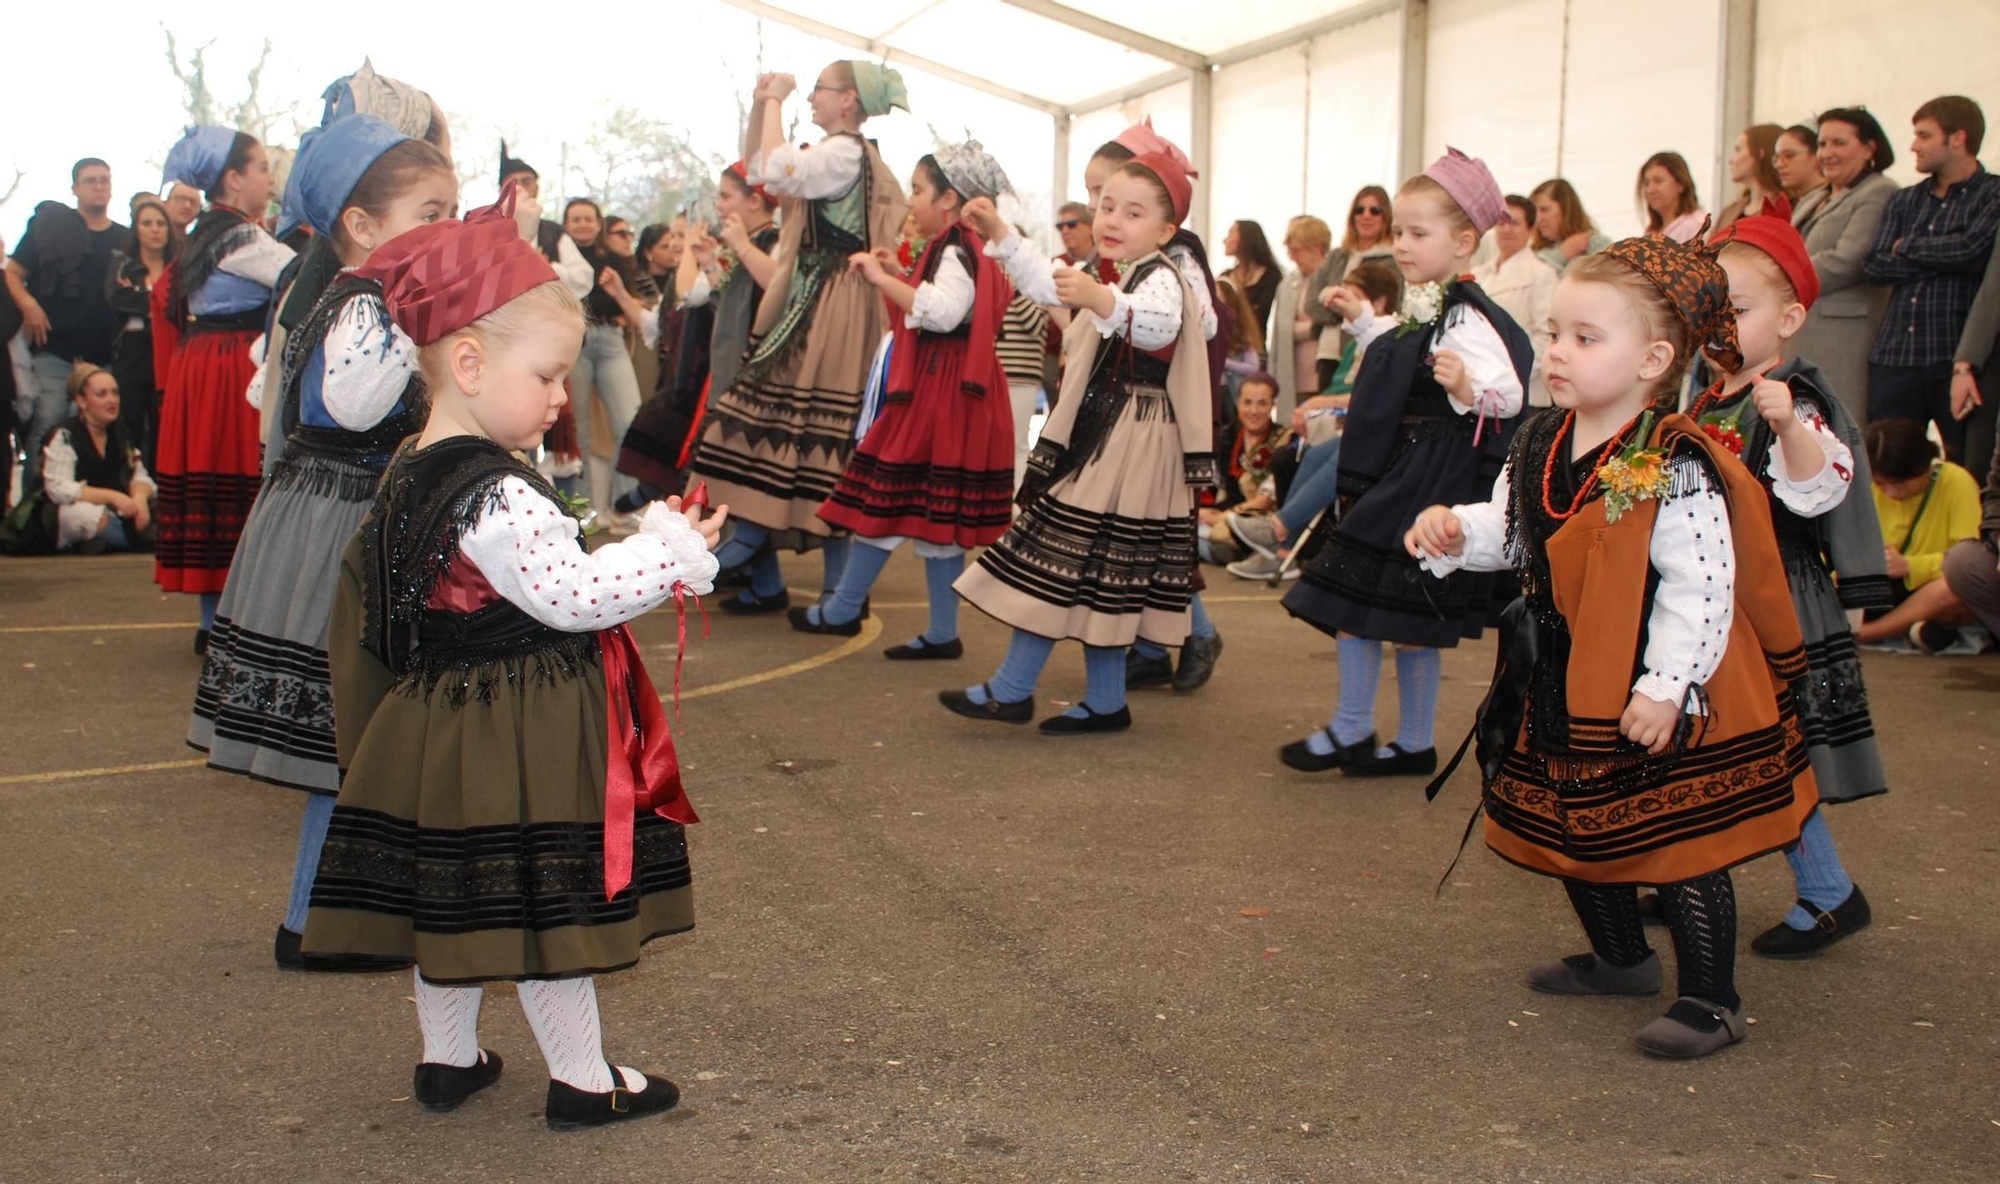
x=1295 y=107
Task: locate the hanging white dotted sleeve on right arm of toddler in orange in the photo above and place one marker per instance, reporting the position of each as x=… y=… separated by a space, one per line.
x=1695 y=605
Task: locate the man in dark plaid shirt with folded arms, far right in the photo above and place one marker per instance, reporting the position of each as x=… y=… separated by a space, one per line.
x=1933 y=245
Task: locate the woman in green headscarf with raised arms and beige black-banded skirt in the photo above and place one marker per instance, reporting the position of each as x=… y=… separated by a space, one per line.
x=779 y=439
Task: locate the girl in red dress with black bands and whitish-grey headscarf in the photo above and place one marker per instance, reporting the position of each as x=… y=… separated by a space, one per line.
x=939 y=463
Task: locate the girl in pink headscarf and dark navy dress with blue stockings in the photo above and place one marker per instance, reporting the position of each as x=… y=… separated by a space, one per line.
x=1435 y=405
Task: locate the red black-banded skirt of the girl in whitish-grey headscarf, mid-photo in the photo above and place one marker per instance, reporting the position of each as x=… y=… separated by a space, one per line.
x=937 y=465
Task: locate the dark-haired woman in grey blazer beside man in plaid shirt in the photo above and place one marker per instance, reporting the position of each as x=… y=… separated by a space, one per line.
x=1839 y=223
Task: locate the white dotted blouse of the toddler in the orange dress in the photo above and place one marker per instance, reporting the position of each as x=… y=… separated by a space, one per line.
x=1695 y=605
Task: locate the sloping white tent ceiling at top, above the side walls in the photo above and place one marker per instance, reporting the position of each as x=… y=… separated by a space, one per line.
x=1057 y=57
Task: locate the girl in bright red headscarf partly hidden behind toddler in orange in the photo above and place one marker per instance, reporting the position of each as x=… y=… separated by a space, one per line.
x=1789 y=427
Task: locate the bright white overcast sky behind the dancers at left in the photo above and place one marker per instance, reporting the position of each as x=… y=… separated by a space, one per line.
x=99 y=85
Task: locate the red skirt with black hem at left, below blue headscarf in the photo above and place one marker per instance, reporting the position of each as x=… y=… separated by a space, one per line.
x=209 y=461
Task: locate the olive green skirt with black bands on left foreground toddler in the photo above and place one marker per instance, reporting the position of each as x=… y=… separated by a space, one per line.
x=471 y=833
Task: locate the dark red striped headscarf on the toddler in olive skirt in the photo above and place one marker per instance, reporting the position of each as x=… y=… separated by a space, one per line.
x=443 y=277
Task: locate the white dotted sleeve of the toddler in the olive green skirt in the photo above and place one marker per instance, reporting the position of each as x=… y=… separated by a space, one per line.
x=529 y=551
